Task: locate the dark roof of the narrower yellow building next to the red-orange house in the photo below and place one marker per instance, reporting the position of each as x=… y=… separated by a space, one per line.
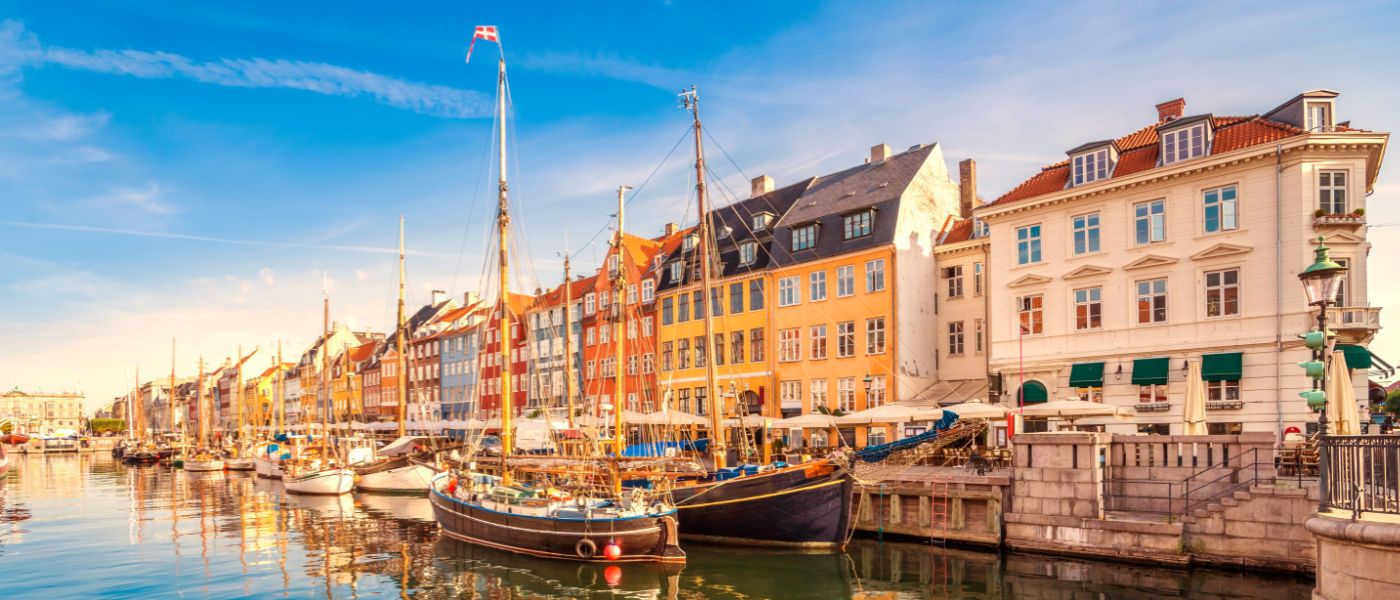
x=738 y=219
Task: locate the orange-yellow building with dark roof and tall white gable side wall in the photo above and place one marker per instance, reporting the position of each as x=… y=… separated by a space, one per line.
x=853 y=290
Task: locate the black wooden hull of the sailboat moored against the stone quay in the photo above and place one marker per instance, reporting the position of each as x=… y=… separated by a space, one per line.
x=803 y=507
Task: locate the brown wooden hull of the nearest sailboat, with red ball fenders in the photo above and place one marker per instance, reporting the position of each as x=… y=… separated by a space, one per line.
x=645 y=539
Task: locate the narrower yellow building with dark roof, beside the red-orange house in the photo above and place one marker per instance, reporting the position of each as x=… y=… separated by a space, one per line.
x=738 y=301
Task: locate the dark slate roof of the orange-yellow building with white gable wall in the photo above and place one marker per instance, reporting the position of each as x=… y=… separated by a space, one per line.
x=834 y=197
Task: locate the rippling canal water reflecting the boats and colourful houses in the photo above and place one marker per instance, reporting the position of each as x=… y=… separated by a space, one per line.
x=87 y=527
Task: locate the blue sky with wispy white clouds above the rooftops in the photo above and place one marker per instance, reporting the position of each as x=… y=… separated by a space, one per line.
x=191 y=170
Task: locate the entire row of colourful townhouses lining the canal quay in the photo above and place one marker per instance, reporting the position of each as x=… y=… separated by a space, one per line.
x=1102 y=276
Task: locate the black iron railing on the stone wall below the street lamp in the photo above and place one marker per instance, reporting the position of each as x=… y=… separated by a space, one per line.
x=1361 y=473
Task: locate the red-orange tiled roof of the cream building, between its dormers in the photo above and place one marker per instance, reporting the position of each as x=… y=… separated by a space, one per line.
x=1139 y=152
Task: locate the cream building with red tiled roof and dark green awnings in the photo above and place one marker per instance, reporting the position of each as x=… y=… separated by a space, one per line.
x=1182 y=243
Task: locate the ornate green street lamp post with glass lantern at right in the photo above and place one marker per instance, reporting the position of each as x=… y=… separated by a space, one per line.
x=1321 y=283
